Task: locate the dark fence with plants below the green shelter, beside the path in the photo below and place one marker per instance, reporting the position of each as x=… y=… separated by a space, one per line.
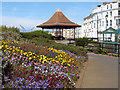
x=113 y=49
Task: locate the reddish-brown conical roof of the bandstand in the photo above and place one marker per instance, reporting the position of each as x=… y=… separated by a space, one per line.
x=58 y=20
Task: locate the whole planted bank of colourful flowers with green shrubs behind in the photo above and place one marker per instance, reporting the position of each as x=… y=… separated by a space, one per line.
x=35 y=61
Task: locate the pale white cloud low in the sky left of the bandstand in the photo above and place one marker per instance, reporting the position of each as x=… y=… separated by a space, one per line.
x=28 y=24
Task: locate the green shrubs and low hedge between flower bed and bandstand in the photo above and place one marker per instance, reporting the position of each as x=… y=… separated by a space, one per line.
x=43 y=38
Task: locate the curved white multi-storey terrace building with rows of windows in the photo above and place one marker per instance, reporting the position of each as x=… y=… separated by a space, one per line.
x=101 y=18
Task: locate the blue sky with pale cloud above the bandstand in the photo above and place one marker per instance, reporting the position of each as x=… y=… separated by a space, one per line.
x=31 y=14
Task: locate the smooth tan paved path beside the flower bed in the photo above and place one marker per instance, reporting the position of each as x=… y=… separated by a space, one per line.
x=102 y=72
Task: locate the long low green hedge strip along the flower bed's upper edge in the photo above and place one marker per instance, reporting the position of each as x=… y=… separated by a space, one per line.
x=51 y=43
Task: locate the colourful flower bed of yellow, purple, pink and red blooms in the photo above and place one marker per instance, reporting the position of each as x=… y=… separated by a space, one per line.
x=32 y=66
